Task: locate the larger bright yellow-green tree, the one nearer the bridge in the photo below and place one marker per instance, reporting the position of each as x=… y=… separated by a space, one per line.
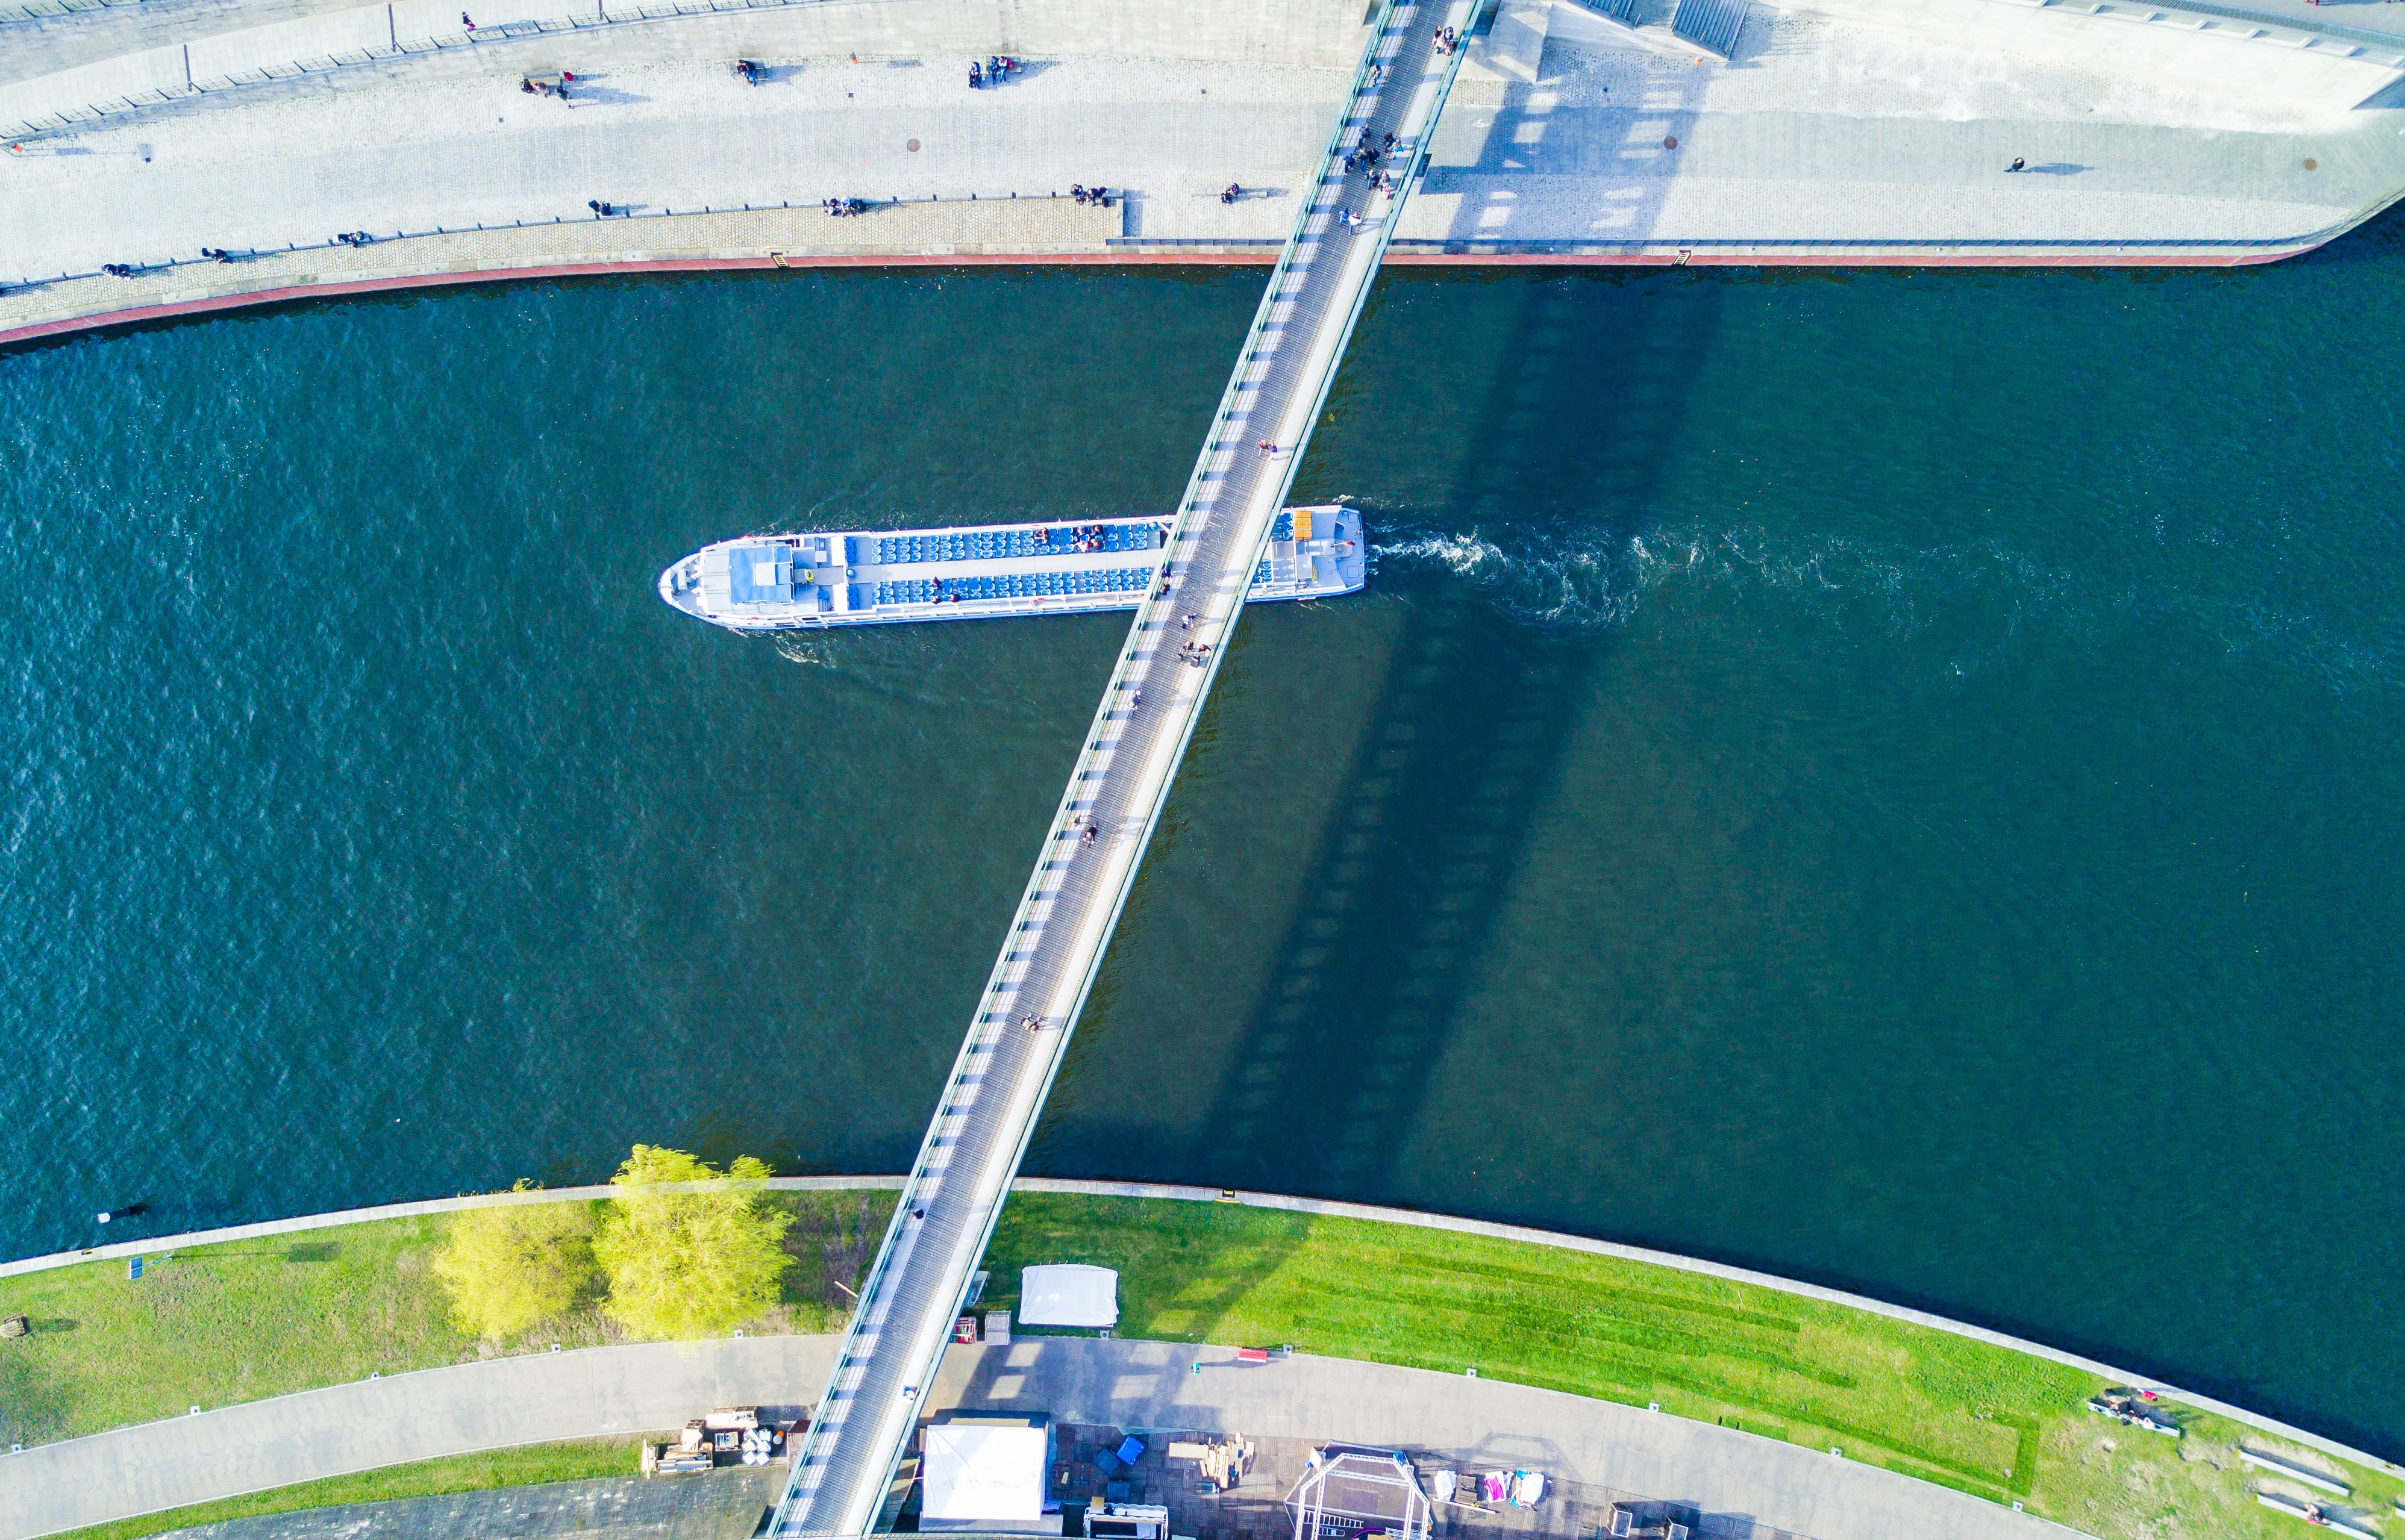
x=689 y=1265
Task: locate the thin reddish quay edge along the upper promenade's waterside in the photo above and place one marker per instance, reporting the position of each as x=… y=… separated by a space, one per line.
x=1151 y=258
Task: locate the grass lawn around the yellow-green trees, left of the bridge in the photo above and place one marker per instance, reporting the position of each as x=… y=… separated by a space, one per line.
x=295 y=1313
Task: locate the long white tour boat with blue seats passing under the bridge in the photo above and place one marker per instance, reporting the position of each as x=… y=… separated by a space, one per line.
x=985 y=571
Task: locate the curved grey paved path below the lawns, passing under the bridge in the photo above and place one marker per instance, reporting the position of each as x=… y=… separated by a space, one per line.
x=1117 y=1383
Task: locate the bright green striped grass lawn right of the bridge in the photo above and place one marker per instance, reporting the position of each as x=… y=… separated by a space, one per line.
x=1920 y=1402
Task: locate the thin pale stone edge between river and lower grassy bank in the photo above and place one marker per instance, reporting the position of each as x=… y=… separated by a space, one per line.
x=1252 y=1200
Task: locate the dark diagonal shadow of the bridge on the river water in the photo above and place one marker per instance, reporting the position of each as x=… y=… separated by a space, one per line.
x=1396 y=912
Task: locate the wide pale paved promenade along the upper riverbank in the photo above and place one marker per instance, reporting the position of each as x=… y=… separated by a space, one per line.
x=1839 y=133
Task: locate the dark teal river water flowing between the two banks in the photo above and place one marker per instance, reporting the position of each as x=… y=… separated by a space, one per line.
x=1877 y=777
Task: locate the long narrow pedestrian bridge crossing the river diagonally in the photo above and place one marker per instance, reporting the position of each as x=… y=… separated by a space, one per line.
x=1122 y=780
